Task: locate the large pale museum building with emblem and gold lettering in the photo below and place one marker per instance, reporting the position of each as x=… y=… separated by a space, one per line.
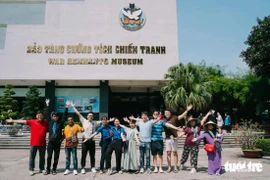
x=109 y=57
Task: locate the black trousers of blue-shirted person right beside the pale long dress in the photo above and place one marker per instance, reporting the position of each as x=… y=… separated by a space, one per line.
x=116 y=146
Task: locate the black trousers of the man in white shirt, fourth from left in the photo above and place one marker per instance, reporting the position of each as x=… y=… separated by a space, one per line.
x=88 y=146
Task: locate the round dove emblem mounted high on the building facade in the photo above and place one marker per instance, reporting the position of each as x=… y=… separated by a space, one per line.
x=132 y=18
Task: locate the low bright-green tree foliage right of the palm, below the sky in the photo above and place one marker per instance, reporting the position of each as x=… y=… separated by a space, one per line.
x=246 y=92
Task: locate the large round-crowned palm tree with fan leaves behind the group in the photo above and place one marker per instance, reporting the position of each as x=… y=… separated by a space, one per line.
x=187 y=85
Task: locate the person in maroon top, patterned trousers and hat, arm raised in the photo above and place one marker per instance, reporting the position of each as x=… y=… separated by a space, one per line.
x=192 y=131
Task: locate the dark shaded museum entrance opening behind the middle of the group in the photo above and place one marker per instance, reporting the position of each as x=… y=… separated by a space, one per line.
x=127 y=104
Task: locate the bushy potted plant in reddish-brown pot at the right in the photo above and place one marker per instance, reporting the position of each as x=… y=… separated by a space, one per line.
x=247 y=135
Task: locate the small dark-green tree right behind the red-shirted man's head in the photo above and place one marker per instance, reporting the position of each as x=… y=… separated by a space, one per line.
x=32 y=103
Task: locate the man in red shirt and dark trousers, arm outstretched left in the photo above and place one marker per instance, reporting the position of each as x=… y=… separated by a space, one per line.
x=37 y=140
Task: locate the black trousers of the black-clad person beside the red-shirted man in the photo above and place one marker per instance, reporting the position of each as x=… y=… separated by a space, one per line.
x=53 y=147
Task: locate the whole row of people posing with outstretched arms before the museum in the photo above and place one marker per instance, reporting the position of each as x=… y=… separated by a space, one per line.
x=144 y=131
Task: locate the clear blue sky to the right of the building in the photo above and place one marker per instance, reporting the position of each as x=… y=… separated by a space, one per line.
x=215 y=30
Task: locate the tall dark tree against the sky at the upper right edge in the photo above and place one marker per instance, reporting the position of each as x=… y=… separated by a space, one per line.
x=257 y=54
